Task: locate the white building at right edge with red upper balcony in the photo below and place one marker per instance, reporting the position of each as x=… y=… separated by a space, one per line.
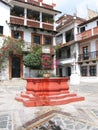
x=87 y=38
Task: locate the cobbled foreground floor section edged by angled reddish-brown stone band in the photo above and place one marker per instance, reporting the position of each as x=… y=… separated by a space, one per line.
x=57 y=120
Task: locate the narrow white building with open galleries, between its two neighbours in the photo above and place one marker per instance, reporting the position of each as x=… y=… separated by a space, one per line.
x=66 y=39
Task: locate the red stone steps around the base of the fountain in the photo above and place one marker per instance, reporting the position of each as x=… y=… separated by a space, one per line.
x=31 y=101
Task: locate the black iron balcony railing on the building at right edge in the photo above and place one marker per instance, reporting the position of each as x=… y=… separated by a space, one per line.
x=88 y=56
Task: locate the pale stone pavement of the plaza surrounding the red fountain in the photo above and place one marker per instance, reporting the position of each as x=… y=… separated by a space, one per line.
x=74 y=116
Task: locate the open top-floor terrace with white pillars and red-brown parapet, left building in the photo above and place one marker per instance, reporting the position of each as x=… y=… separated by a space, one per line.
x=32 y=19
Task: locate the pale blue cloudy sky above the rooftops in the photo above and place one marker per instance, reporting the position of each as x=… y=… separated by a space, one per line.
x=73 y=6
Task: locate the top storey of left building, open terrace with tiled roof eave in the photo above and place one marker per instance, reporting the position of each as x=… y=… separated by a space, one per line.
x=31 y=15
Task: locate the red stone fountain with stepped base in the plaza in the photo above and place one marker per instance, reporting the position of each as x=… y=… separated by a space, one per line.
x=47 y=92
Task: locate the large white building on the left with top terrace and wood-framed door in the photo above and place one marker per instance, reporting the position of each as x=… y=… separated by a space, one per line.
x=31 y=20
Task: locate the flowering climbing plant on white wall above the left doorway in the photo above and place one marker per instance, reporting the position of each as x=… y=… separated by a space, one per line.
x=10 y=45
